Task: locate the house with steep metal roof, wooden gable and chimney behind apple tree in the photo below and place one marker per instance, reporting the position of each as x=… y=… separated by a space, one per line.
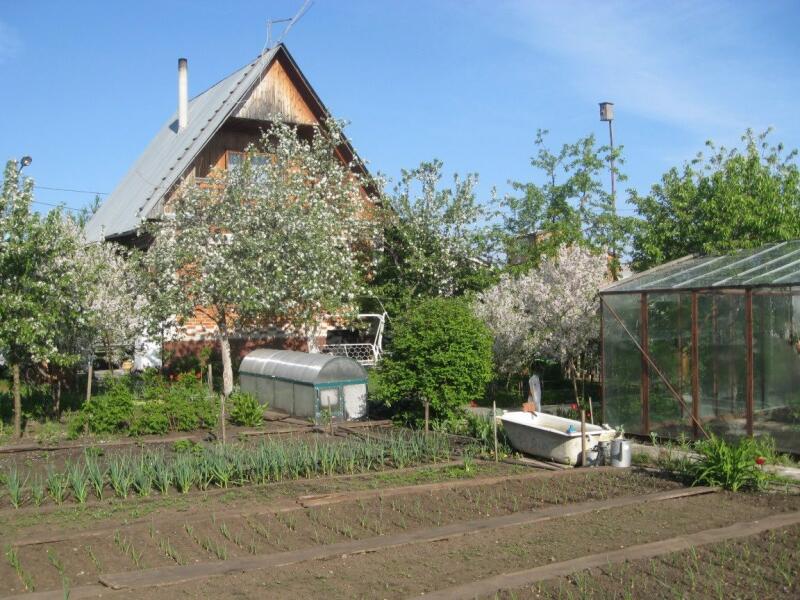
x=212 y=130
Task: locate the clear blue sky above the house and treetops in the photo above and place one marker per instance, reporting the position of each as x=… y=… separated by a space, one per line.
x=86 y=84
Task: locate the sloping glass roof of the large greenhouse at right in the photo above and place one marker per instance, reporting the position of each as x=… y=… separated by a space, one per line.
x=773 y=265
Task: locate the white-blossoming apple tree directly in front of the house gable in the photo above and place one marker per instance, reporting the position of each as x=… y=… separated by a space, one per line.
x=285 y=237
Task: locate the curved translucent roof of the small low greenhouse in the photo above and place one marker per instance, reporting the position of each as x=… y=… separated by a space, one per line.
x=301 y=366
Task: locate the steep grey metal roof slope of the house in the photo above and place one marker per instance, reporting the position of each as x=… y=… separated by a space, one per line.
x=171 y=152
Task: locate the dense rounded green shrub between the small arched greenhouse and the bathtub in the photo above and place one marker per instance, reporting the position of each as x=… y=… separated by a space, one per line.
x=440 y=351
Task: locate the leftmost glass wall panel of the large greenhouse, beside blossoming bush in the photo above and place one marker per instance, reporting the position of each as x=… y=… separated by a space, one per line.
x=622 y=363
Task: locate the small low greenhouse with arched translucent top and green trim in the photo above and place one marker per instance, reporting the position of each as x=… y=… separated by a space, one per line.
x=316 y=386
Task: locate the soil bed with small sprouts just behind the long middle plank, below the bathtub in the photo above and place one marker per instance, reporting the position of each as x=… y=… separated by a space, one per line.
x=209 y=537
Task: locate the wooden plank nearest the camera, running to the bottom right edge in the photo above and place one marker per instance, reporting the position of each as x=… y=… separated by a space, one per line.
x=528 y=577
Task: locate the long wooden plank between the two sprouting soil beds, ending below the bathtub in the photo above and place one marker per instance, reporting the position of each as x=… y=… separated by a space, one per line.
x=161 y=576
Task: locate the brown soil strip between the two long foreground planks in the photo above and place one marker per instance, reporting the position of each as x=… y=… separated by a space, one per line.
x=411 y=570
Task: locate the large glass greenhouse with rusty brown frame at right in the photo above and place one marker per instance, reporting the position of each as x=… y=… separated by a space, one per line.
x=706 y=344
